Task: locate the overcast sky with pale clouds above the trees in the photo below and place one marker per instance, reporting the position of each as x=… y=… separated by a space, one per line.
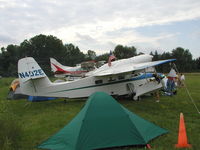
x=100 y=25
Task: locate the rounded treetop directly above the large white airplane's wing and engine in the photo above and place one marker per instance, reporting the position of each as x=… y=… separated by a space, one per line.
x=124 y=51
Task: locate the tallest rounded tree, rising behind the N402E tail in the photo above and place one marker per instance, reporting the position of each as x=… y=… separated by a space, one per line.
x=42 y=47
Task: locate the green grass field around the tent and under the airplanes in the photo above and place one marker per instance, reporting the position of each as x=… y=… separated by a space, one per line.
x=26 y=124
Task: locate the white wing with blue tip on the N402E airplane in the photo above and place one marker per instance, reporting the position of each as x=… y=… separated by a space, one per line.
x=124 y=68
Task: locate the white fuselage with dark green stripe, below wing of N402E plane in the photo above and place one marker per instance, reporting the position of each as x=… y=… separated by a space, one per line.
x=113 y=85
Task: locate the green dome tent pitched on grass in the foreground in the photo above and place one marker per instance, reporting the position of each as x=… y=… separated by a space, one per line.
x=103 y=123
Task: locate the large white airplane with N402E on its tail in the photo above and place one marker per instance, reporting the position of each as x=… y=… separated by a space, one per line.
x=122 y=77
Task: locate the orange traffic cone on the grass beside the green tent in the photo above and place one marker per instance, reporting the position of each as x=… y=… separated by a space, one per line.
x=182 y=137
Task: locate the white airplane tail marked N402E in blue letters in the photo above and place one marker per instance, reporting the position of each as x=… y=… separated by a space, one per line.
x=31 y=77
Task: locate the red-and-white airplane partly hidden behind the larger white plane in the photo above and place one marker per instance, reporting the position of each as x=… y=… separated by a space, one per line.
x=63 y=71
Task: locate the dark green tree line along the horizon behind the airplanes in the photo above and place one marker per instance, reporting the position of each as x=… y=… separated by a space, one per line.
x=42 y=47
